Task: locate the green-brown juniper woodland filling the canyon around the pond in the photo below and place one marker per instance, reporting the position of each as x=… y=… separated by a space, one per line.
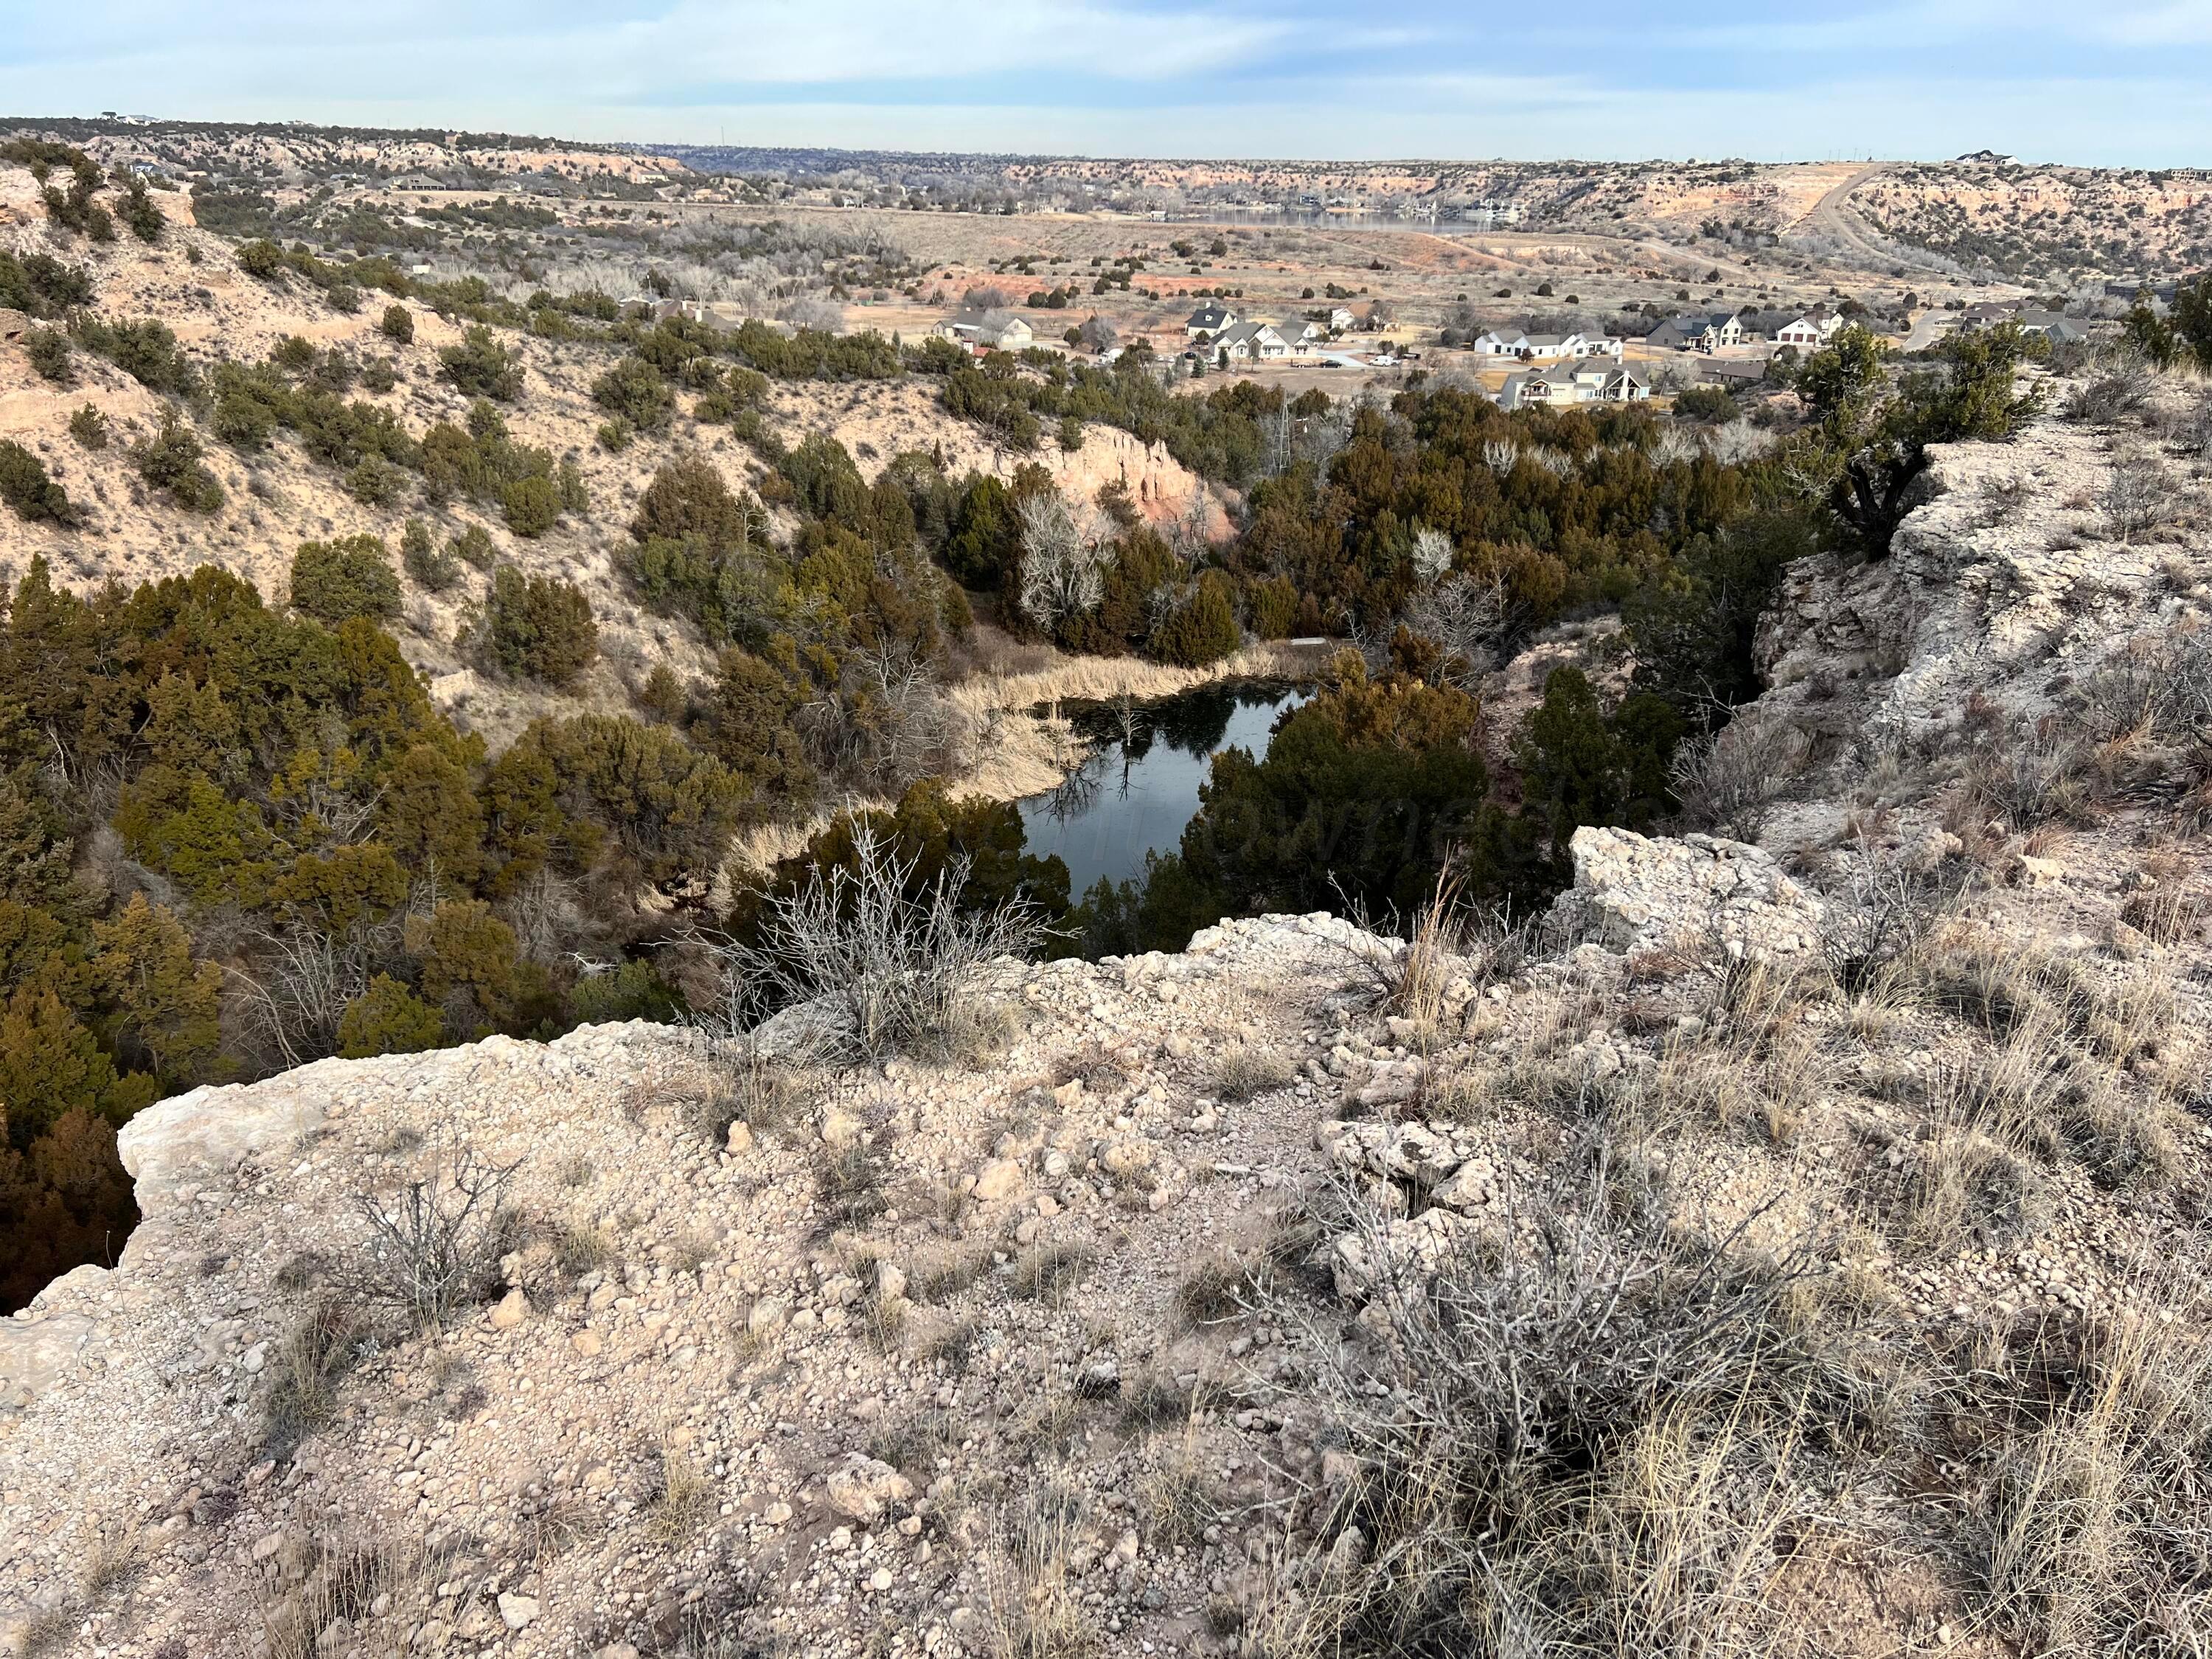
x=244 y=837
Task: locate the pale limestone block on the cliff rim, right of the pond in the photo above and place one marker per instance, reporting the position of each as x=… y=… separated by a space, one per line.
x=1658 y=893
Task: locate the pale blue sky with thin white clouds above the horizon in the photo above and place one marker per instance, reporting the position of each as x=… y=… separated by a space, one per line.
x=2114 y=83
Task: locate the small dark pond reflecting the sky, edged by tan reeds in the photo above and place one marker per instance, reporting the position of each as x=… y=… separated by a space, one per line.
x=1140 y=784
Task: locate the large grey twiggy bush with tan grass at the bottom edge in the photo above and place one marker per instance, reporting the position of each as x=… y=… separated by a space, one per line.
x=1578 y=1437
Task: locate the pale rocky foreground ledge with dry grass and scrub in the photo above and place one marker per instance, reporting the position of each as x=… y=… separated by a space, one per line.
x=1791 y=1242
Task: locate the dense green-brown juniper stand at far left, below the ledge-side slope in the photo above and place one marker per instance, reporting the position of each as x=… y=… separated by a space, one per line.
x=236 y=839
